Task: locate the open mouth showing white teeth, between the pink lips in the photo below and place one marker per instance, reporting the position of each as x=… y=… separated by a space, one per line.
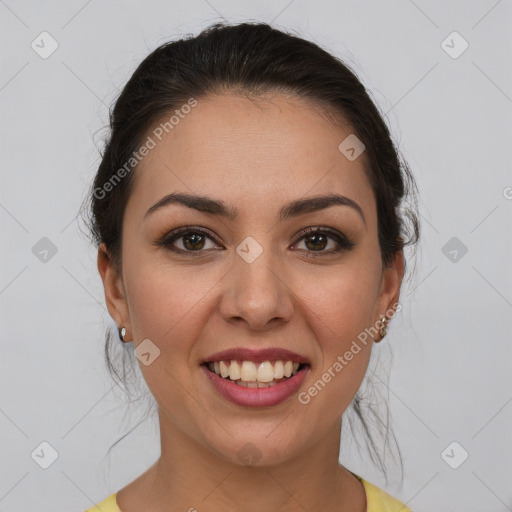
x=255 y=375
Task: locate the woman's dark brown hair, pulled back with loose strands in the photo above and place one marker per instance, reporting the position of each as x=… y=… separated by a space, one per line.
x=251 y=59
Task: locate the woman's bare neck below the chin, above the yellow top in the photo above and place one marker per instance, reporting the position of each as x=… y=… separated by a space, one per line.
x=190 y=476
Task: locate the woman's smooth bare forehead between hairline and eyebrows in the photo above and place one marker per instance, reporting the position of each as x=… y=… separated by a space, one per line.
x=249 y=151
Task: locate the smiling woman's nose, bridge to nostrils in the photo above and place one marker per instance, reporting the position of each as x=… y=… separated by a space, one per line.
x=257 y=294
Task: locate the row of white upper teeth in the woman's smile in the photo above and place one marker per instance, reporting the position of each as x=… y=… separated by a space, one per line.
x=248 y=371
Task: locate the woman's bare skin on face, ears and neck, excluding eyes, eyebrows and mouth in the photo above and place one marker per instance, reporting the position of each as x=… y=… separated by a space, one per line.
x=255 y=155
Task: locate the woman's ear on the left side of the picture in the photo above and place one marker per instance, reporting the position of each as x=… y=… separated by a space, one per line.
x=114 y=290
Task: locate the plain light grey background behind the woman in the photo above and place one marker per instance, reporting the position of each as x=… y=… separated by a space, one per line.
x=452 y=117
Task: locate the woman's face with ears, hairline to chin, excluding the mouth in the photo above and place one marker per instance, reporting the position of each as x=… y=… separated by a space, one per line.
x=279 y=288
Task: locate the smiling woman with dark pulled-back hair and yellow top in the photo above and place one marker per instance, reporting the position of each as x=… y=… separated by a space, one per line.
x=250 y=243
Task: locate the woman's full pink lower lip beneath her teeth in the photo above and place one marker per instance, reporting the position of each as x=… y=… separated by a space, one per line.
x=256 y=397
